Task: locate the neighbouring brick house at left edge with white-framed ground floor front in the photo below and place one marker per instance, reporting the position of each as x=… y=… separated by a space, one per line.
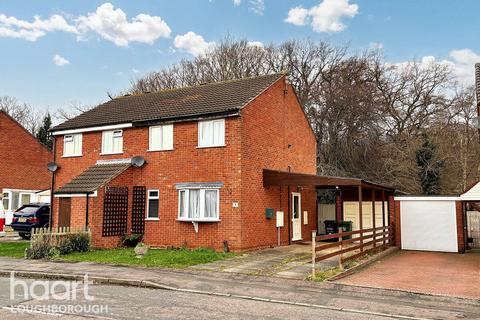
x=24 y=177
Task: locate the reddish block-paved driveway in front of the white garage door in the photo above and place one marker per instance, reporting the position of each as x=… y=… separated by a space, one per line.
x=425 y=272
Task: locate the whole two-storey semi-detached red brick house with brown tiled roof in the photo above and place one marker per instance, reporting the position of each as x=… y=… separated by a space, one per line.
x=205 y=150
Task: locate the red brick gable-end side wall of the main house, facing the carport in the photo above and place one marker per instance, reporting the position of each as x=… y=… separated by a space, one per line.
x=275 y=135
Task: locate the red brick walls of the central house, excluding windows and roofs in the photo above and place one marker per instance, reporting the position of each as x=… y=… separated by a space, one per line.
x=271 y=132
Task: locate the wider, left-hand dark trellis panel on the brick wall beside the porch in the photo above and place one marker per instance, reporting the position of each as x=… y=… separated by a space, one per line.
x=115 y=211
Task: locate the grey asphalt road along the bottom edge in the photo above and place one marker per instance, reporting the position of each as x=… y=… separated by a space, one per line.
x=117 y=302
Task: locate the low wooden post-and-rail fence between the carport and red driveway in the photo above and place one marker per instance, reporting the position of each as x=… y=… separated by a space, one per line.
x=364 y=241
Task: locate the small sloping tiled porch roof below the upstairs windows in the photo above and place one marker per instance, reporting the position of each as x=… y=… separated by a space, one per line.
x=93 y=178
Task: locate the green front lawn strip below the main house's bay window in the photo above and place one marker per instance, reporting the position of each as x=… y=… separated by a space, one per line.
x=170 y=258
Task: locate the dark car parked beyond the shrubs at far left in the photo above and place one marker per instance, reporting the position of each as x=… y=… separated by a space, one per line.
x=29 y=216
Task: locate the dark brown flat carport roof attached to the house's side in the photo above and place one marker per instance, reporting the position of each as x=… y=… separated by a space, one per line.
x=284 y=178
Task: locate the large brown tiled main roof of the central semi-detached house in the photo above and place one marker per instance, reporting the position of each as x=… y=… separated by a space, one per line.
x=207 y=99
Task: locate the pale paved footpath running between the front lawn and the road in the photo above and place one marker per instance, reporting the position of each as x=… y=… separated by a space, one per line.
x=271 y=290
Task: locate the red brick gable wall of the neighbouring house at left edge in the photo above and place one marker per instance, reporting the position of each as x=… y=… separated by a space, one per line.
x=23 y=159
